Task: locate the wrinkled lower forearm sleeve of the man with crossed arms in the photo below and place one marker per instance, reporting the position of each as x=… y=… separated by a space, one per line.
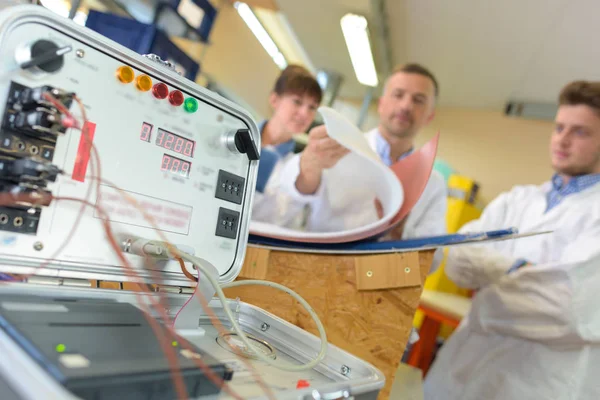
x=555 y=304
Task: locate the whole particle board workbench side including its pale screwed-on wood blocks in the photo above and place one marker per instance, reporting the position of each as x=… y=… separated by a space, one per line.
x=366 y=302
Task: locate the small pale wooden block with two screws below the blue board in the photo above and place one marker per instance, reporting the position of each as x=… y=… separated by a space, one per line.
x=387 y=271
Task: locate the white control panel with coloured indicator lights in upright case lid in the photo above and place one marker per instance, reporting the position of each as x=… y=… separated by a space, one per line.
x=184 y=154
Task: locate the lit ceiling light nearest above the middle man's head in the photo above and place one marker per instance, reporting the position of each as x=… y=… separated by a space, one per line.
x=354 y=28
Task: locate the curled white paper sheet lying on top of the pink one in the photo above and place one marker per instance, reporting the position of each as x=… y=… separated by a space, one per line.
x=353 y=184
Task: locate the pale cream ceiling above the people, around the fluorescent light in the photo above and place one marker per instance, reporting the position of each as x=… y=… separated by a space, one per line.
x=482 y=51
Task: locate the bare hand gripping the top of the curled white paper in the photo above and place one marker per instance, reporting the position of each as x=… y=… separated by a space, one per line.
x=321 y=152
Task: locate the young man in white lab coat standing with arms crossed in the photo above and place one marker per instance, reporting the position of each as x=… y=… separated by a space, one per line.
x=533 y=331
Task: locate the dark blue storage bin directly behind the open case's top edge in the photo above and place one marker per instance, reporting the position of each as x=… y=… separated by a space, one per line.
x=143 y=39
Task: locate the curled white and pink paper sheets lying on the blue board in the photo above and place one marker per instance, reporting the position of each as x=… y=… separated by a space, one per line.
x=354 y=183
